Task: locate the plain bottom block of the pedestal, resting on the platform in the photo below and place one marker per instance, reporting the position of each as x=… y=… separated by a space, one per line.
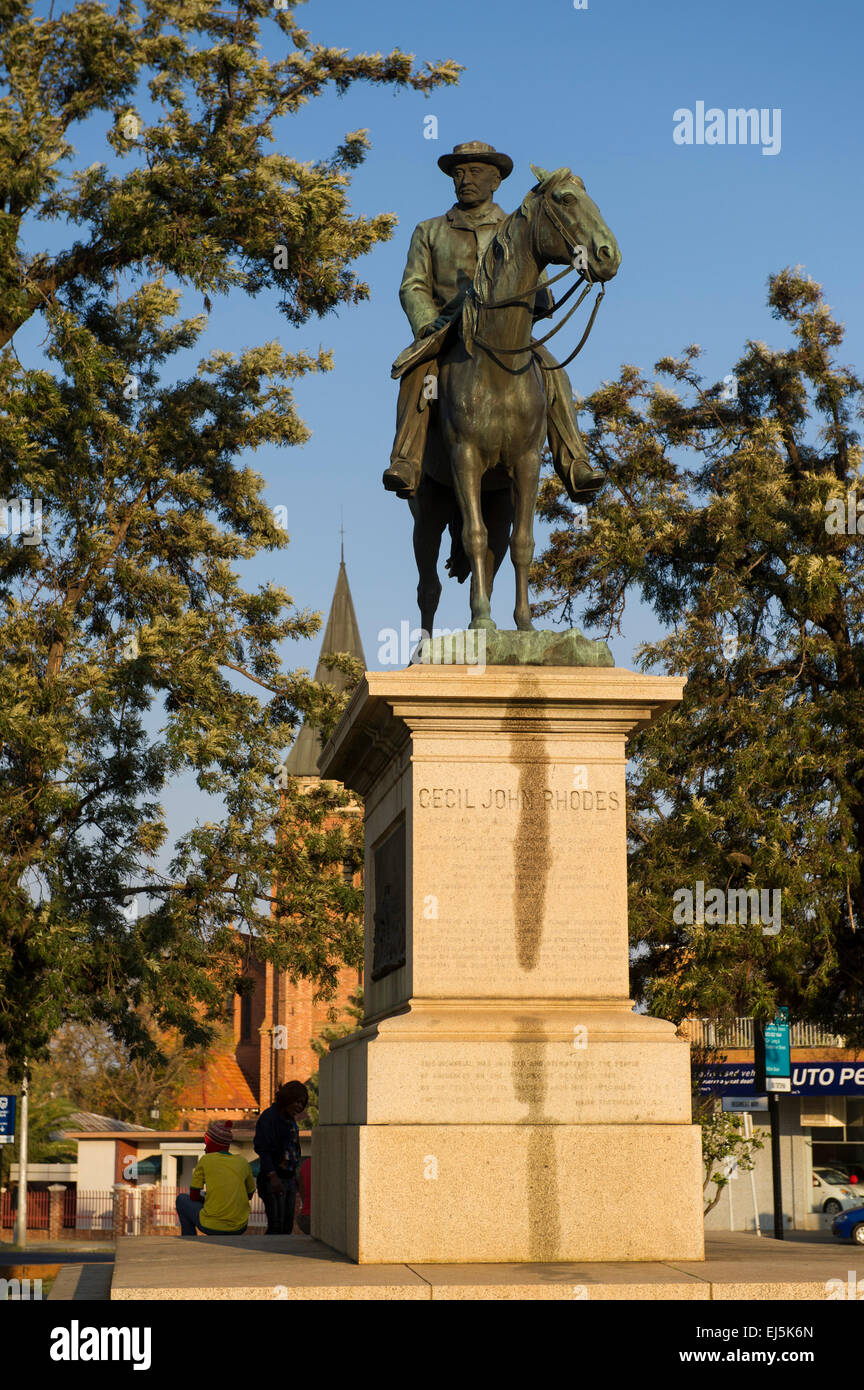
x=491 y=1193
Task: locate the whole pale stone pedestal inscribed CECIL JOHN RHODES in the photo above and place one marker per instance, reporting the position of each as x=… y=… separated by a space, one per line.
x=502 y=1103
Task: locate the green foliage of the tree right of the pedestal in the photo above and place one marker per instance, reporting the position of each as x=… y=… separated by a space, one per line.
x=719 y=514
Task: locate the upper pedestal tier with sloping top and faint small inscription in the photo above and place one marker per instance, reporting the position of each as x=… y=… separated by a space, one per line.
x=519 y=1063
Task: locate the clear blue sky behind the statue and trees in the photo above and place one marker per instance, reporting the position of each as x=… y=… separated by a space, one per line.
x=701 y=229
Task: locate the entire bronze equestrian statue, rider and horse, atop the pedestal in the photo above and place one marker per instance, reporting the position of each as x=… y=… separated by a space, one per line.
x=479 y=395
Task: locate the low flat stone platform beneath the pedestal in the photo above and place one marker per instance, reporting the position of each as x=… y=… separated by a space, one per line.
x=301 y=1268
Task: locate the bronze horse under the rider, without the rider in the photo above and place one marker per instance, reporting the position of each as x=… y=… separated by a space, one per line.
x=483 y=462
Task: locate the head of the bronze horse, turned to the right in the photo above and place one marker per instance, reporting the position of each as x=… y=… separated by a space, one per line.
x=573 y=220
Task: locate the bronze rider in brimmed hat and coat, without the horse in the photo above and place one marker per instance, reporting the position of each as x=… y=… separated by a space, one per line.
x=442 y=261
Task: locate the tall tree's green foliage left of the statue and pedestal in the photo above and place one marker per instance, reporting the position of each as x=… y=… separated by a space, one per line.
x=128 y=610
